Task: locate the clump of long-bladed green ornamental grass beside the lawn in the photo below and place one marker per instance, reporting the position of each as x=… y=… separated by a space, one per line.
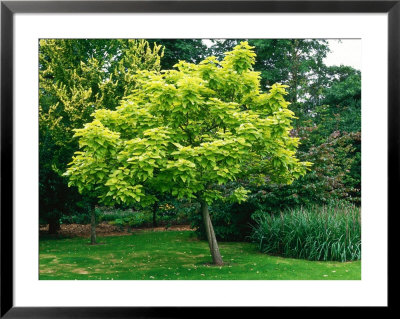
x=329 y=232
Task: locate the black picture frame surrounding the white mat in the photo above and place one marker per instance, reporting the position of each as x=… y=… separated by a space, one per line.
x=9 y=8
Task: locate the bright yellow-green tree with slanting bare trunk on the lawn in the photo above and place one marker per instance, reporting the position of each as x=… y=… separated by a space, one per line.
x=188 y=132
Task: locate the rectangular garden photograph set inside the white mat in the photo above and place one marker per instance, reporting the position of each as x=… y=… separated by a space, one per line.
x=199 y=159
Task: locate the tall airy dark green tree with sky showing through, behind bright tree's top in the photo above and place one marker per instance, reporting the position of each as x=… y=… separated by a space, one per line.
x=297 y=63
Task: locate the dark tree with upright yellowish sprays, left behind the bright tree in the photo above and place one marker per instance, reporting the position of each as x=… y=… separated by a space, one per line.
x=76 y=77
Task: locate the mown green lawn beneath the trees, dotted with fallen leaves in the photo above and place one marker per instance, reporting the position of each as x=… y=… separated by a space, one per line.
x=175 y=255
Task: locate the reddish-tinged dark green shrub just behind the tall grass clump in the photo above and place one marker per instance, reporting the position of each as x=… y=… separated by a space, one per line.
x=335 y=175
